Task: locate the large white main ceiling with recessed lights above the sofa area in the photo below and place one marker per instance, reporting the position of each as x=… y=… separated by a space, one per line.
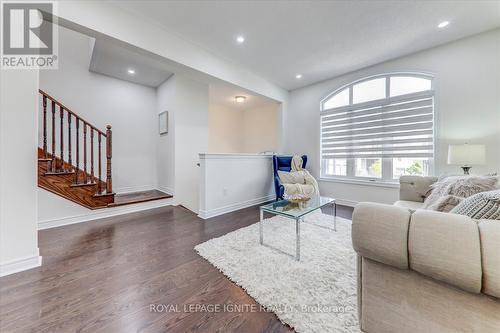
x=318 y=39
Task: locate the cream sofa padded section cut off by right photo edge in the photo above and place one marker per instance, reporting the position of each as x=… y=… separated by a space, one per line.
x=489 y=231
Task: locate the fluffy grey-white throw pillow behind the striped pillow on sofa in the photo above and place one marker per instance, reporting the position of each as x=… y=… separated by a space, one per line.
x=458 y=186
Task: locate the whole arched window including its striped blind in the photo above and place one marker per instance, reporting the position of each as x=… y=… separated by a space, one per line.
x=379 y=128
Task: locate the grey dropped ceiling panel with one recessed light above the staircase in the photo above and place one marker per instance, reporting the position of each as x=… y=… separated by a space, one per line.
x=113 y=59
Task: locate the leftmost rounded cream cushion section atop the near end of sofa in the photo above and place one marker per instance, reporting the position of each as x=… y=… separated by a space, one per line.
x=380 y=233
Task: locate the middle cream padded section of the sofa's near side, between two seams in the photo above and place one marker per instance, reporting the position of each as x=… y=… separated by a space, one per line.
x=446 y=247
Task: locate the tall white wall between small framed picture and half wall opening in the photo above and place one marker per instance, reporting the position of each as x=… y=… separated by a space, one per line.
x=186 y=101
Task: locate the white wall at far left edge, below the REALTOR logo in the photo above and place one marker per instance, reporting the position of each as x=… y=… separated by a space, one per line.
x=18 y=171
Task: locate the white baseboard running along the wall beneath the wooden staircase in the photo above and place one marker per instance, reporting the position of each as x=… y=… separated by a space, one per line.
x=104 y=213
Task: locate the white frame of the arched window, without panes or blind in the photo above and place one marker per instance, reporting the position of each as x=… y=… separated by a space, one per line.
x=386 y=178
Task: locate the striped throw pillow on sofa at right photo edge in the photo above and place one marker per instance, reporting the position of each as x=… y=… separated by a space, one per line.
x=484 y=205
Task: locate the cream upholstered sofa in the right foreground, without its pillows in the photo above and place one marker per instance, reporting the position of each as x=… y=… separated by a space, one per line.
x=425 y=271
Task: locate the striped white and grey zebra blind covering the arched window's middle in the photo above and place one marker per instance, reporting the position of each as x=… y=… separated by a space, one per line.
x=391 y=128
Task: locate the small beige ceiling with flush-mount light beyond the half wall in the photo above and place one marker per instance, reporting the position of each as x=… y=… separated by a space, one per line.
x=224 y=94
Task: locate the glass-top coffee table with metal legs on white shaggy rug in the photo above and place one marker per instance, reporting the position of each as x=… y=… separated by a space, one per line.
x=297 y=212
